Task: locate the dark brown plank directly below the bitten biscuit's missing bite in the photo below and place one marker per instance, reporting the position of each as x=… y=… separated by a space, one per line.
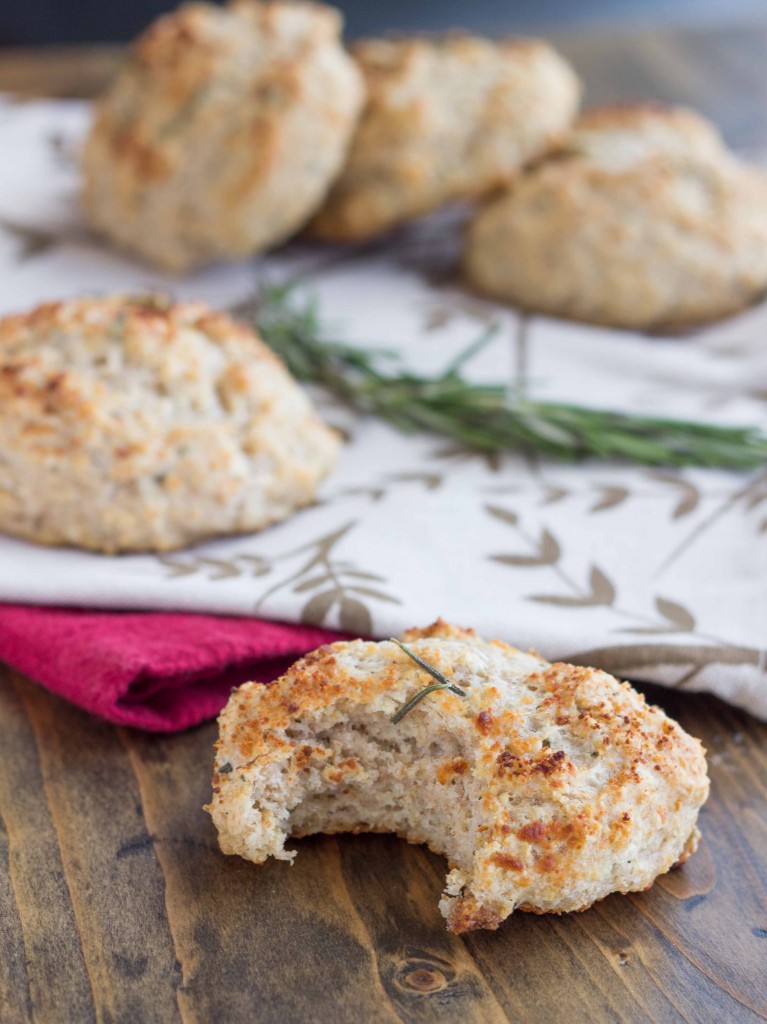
x=284 y=940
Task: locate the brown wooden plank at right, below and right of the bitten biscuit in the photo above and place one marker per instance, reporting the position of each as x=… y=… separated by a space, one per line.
x=691 y=950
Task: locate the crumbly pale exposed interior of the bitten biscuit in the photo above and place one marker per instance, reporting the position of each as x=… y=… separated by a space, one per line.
x=364 y=774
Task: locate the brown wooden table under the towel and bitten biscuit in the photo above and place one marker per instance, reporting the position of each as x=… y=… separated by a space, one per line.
x=116 y=905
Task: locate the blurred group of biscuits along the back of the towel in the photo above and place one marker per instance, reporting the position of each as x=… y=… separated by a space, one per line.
x=232 y=130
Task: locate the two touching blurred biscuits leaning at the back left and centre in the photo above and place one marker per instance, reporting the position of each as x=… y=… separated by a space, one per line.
x=231 y=130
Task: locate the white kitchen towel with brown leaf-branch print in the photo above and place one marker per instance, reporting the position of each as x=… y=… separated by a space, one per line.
x=656 y=575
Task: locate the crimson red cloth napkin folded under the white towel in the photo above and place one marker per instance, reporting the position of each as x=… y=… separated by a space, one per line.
x=150 y=670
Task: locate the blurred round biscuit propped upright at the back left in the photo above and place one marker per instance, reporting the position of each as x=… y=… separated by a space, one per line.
x=223 y=133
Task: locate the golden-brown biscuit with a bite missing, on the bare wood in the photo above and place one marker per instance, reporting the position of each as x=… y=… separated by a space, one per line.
x=546 y=787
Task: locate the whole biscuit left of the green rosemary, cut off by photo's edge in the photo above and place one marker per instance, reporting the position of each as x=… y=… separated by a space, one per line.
x=136 y=424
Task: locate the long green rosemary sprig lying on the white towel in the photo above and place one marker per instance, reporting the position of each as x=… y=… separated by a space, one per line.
x=489 y=417
